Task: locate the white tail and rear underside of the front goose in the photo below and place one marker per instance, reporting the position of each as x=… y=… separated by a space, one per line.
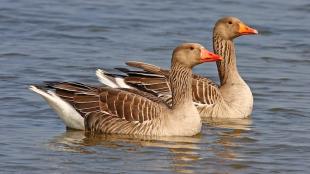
x=66 y=112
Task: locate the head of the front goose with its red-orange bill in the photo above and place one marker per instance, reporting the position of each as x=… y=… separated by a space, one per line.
x=191 y=54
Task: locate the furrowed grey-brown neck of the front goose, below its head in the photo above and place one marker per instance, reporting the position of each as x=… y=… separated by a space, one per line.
x=181 y=84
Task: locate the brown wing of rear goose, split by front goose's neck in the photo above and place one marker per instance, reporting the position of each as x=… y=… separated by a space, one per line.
x=204 y=90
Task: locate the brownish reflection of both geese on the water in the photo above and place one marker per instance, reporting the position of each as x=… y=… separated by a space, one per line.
x=220 y=138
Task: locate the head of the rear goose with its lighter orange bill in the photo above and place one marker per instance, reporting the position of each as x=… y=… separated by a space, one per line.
x=231 y=27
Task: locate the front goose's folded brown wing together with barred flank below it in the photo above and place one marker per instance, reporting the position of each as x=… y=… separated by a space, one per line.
x=112 y=110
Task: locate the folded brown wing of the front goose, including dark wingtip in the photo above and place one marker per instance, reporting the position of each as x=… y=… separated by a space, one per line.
x=108 y=102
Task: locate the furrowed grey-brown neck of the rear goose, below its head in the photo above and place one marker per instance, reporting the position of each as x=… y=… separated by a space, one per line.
x=227 y=68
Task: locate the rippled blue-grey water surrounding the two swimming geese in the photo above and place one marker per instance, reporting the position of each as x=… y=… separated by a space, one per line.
x=68 y=40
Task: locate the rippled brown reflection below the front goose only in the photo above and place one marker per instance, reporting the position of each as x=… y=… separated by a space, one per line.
x=183 y=151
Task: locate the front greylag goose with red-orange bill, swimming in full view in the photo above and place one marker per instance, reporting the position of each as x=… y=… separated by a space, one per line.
x=129 y=111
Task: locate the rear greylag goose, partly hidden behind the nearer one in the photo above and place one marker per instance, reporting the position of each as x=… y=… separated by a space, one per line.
x=232 y=99
